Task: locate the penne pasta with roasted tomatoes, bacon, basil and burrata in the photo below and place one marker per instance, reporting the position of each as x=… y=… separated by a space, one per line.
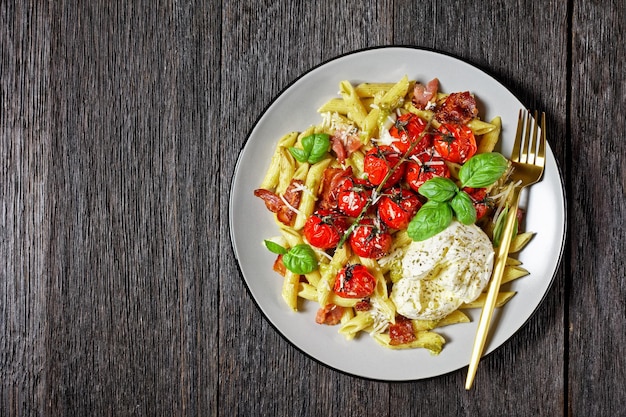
x=388 y=210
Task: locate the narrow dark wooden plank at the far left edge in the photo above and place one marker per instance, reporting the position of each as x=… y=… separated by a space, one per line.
x=25 y=135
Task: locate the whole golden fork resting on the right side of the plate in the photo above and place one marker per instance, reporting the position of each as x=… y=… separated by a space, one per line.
x=528 y=160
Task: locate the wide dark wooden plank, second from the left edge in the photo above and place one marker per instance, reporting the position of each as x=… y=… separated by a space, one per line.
x=131 y=296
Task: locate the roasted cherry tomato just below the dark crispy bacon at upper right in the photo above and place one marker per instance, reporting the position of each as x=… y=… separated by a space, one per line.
x=455 y=142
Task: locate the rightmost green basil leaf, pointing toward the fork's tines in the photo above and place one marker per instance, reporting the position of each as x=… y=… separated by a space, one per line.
x=482 y=170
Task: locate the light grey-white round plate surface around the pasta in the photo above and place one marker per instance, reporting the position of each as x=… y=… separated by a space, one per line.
x=250 y=222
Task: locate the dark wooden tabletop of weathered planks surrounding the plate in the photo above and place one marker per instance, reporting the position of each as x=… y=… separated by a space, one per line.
x=120 y=127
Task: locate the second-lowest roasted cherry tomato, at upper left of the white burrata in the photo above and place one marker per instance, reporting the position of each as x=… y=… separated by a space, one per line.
x=370 y=239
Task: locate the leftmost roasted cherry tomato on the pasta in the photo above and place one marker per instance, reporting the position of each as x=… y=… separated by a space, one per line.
x=324 y=228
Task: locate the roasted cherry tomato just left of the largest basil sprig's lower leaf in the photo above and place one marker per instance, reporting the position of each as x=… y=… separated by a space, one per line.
x=397 y=207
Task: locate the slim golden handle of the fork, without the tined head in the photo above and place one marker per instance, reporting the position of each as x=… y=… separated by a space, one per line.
x=494 y=288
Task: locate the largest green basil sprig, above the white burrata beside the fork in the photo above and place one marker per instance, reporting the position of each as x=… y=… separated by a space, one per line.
x=446 y=200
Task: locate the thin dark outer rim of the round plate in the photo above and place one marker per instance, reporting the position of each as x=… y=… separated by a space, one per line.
x=558 y=259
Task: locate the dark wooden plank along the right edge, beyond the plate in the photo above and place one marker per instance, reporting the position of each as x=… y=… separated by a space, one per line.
x=597 y=333
